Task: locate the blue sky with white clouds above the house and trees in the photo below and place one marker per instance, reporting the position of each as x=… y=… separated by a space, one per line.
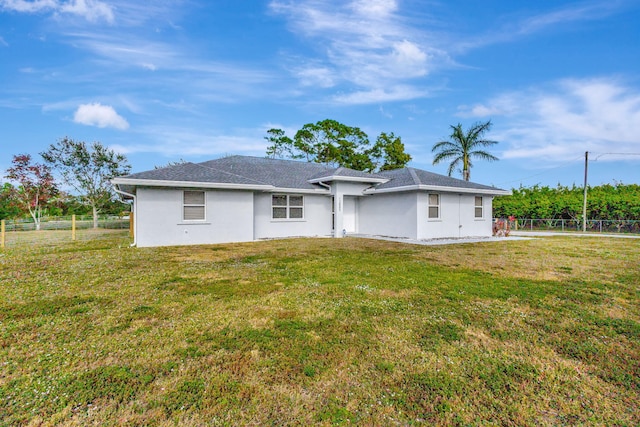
x=167 y=80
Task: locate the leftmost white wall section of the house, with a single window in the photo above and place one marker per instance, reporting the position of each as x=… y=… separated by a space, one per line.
x=229 y=218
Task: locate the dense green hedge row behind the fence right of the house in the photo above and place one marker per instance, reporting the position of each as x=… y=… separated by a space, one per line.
x=606 y=202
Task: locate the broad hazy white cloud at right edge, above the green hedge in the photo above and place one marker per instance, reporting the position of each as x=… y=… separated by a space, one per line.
x=565 y=119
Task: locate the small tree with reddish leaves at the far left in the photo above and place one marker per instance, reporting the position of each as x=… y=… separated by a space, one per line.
x=36 y=185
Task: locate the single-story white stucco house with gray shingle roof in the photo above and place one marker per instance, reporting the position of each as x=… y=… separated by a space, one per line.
x=240 y=198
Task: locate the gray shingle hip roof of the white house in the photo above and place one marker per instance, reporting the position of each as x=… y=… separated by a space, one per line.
x=252 y=171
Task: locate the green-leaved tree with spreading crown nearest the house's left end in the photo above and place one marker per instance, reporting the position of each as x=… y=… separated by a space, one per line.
x=88 y=169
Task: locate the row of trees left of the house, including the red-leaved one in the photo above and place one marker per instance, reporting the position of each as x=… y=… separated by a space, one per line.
x=86 y=169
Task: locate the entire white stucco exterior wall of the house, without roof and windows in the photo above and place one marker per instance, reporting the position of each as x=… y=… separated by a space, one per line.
x=237 y=216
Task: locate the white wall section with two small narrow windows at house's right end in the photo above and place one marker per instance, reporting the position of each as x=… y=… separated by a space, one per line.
x=457 y=217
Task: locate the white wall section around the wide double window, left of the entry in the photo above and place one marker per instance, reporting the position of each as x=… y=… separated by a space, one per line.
x=316 y=221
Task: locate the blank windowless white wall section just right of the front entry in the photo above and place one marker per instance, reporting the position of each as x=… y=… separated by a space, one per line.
x=389 y=215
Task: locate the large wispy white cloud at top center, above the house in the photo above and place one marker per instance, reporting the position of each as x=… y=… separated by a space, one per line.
x=366 y=43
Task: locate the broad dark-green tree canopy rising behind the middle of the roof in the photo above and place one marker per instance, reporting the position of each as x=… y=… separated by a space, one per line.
x=336 y=144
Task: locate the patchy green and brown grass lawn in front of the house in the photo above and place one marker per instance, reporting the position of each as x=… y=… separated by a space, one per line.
x=322 y=332
